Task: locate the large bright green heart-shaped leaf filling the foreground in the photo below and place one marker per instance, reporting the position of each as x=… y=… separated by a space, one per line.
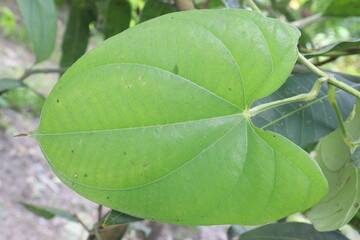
x=153 y=122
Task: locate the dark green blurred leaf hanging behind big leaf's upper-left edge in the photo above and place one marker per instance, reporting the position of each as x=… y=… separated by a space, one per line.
x=117 y=17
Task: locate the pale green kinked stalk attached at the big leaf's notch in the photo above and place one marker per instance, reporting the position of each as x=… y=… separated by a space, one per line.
x=301 y=97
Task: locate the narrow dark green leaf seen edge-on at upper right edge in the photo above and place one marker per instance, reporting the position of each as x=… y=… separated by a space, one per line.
x=344 y=47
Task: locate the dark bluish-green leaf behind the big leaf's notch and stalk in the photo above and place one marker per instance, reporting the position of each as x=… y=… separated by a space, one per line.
x=303 y=122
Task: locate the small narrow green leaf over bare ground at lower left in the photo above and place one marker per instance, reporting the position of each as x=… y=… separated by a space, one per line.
x=48 y=212
